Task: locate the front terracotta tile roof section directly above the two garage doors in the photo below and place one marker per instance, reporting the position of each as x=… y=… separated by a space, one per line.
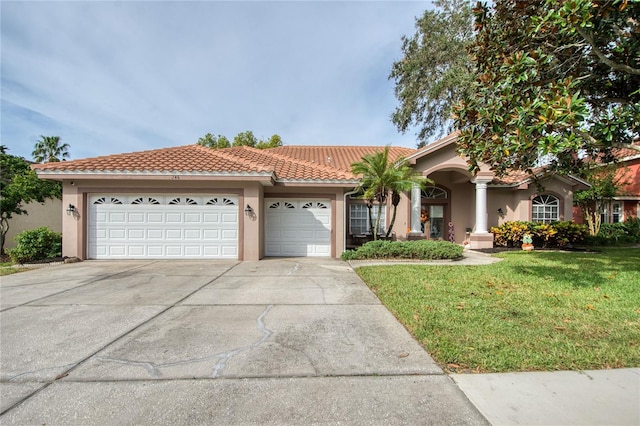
x=203 y=161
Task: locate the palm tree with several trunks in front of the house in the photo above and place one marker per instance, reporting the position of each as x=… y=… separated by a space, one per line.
x=381 y=178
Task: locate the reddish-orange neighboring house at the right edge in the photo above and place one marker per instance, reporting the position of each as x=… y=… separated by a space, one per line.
x=627 y=204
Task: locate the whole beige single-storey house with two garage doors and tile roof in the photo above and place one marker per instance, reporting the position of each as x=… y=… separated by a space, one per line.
x=244 y=203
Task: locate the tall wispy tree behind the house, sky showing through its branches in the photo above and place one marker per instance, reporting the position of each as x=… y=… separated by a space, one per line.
x=435 y=71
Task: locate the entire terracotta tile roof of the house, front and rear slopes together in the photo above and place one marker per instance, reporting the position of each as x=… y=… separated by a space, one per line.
x=295 y=163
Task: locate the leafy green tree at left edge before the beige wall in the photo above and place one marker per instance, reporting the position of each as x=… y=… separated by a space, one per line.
x=20 y=185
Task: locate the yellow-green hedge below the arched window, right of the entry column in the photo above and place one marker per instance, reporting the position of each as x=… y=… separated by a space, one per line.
x=547 y=235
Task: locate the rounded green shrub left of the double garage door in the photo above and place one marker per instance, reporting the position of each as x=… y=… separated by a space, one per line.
x=36 y=244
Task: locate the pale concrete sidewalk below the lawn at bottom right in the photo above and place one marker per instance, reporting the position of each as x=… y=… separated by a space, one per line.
x=602 y=397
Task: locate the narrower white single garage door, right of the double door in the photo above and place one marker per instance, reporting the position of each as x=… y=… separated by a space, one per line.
x=297 y=227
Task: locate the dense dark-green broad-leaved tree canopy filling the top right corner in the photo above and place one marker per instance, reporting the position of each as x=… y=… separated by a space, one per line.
x=557 y=80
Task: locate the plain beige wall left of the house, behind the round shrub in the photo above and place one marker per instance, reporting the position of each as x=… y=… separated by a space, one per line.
x=48 y=214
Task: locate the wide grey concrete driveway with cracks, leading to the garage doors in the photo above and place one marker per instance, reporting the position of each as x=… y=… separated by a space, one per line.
x=280 y=341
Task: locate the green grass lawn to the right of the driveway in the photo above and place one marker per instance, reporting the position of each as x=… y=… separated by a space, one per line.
x=539 y=311
